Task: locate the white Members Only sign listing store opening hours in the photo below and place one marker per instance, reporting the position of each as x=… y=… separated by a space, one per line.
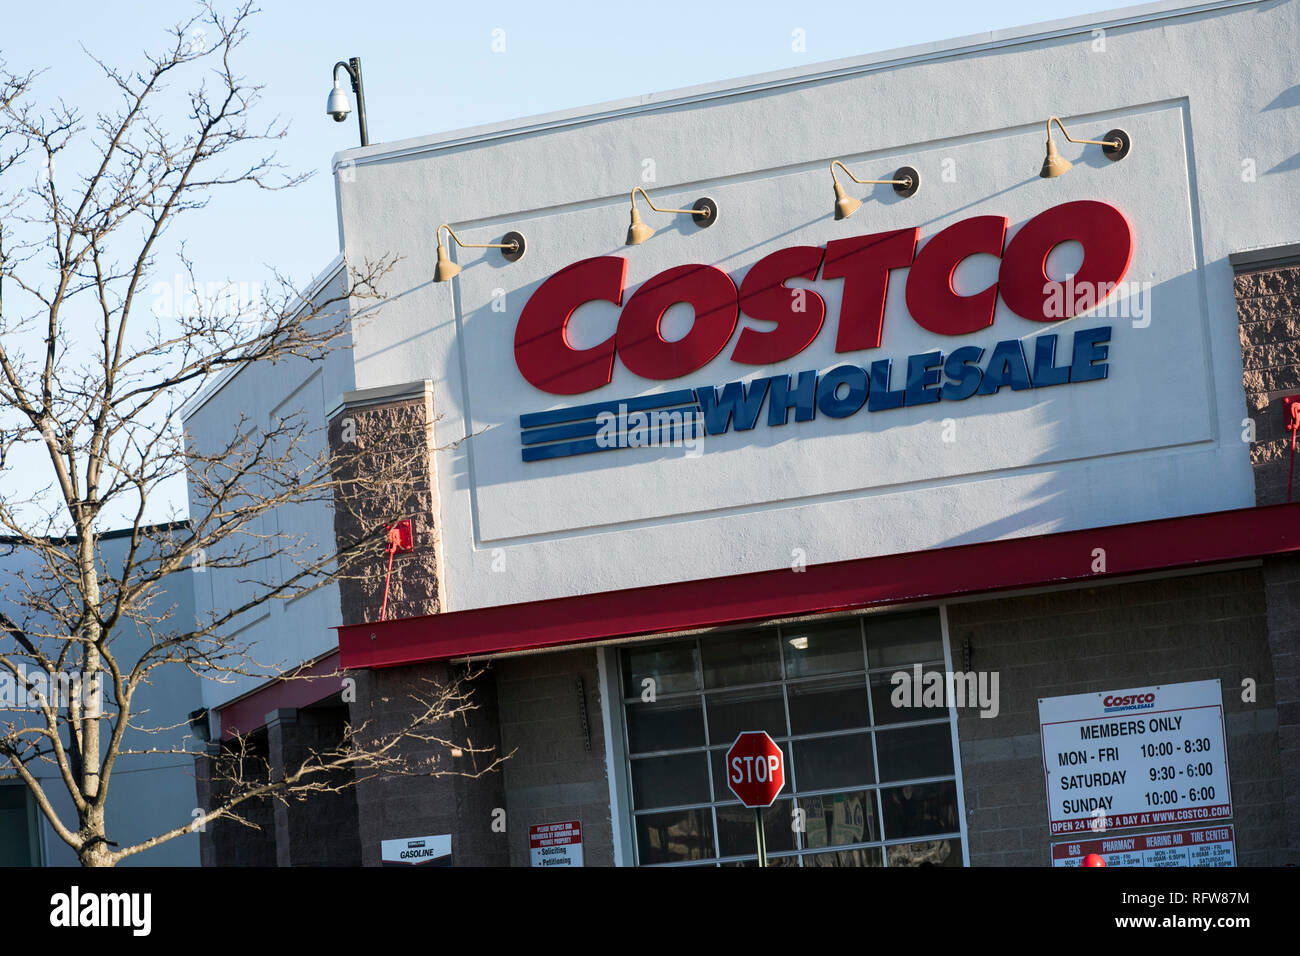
x=1139 y=758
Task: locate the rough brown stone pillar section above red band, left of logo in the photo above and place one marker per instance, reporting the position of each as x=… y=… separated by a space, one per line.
x=384 y=451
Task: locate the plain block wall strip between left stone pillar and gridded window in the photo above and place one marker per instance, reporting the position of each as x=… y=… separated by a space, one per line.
x=553 y=776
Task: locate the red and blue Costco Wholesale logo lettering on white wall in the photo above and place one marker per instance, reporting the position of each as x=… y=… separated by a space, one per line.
x=548 y=361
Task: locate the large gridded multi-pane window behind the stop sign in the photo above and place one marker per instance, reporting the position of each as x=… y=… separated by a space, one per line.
x=851 y=737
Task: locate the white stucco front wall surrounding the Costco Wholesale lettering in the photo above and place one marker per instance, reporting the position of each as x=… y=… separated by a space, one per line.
x=1201 y=90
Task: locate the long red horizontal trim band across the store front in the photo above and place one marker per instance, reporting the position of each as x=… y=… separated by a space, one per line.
x=1011 y=564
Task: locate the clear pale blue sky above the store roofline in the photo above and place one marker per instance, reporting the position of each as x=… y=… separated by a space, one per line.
x=431 y=67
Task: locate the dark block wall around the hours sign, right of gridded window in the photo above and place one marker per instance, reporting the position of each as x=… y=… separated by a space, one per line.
x=1164 y=631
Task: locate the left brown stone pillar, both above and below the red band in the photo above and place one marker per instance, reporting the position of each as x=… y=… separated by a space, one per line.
x=392 y=431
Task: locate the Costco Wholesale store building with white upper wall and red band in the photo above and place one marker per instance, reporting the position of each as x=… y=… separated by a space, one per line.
x=1019 y=426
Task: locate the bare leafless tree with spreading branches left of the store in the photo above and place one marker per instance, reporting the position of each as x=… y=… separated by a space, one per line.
x=92 y=384
